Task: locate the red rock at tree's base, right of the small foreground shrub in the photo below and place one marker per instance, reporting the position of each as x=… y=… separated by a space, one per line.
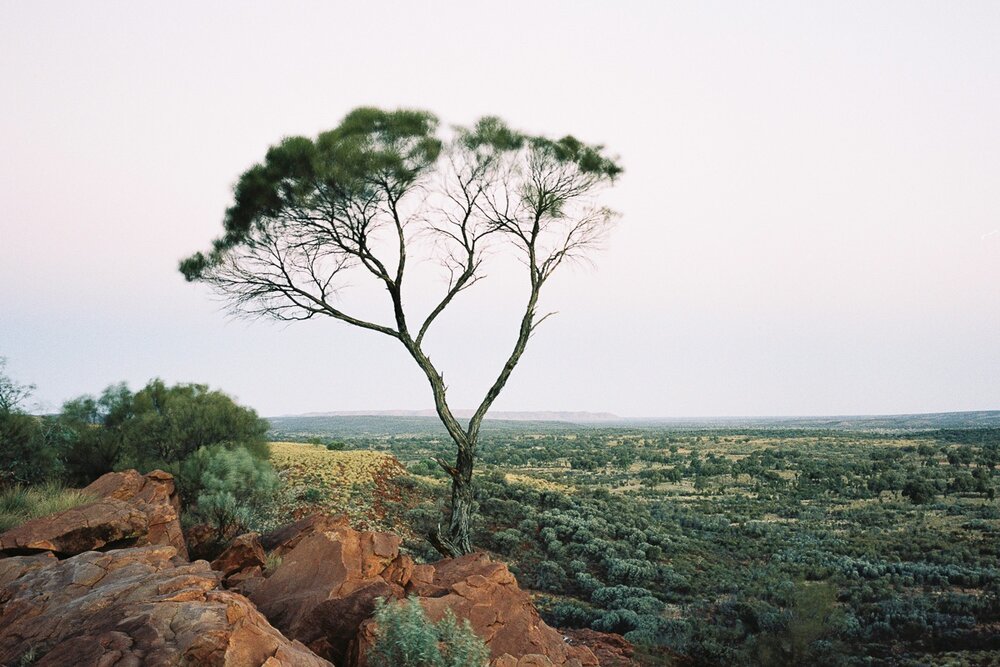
x=476 y=588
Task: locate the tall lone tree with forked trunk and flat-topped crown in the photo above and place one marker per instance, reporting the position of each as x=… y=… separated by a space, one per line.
x=365 y=196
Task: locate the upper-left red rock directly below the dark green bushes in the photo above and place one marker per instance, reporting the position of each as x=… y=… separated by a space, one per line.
x=131 y=510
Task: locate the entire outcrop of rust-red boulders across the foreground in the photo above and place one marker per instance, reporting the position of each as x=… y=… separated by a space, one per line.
x=139 y=602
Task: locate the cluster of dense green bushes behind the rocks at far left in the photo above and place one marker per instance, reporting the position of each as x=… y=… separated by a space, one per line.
x=216 y=449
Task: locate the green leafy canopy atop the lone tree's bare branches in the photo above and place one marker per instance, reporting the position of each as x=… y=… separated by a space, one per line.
x=376 y=157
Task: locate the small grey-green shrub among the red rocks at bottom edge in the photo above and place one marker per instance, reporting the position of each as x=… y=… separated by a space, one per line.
x=405 y=637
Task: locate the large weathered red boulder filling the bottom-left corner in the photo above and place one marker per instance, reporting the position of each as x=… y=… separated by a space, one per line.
x=131 y=607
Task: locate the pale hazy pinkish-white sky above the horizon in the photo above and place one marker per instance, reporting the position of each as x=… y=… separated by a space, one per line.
x=810 y=209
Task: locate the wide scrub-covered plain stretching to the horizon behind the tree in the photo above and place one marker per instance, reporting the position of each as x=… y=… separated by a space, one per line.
x=731 y=546
